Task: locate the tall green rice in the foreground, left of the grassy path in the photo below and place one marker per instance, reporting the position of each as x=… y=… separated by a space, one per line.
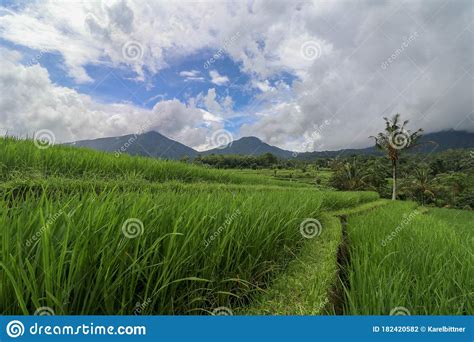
x=199 y=249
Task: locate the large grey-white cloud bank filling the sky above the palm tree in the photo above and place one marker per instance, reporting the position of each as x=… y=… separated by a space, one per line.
x=409 y=58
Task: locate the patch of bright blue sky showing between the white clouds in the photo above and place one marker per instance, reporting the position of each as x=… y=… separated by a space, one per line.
x=116 y=85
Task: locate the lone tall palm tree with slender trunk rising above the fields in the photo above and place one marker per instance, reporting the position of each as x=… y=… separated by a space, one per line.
x=393 y=141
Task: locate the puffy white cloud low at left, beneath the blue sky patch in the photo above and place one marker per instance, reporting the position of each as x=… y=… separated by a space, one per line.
x=31 y=102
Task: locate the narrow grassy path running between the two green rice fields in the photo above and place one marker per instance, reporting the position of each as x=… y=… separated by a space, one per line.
x=314 y=282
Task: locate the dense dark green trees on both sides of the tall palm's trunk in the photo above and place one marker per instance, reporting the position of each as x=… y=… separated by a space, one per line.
x=444 y=179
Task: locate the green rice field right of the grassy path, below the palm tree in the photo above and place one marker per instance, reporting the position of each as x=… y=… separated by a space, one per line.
x=400 y=257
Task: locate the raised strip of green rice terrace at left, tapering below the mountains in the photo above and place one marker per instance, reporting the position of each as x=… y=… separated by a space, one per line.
x=21 y=159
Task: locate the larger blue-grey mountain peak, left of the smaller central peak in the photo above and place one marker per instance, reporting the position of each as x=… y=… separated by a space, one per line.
x=151 y=144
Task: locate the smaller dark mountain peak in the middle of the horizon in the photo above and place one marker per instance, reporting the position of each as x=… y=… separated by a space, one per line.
x=250 y=146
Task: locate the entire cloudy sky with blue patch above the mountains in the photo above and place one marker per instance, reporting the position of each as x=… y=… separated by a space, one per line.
x=300 y=75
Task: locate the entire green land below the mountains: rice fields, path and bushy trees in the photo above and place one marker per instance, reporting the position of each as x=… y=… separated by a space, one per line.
x=85 y=232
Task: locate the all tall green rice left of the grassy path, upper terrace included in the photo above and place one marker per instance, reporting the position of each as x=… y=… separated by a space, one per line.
x=209 y=238
